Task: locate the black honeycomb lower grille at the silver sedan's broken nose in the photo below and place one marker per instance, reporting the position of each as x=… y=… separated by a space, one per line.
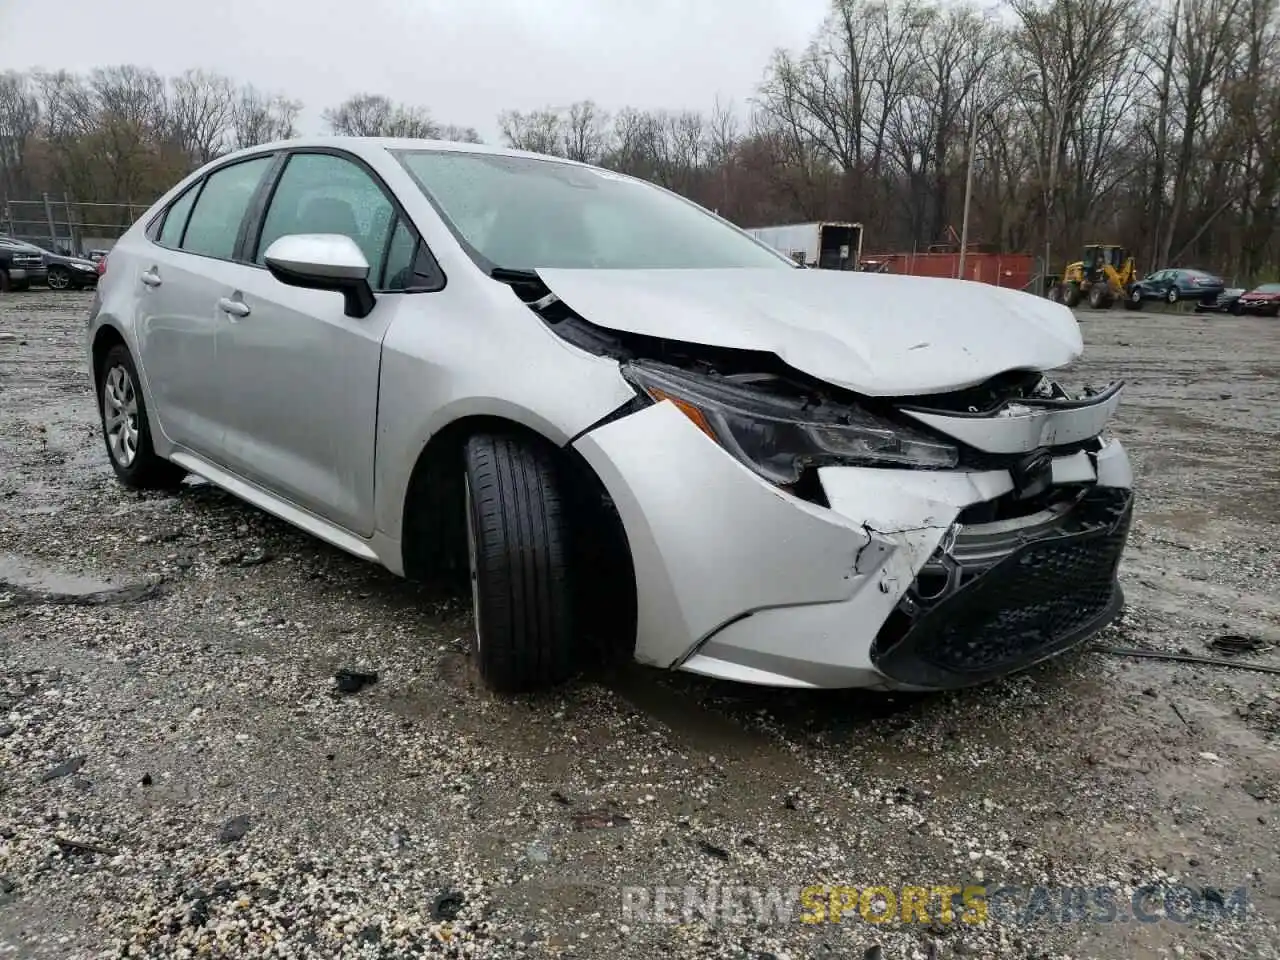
x=1039 y=601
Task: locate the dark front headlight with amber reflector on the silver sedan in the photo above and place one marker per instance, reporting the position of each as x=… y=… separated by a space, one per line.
x=780 y=436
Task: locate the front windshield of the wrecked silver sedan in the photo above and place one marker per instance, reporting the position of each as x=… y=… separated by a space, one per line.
x=520 y=214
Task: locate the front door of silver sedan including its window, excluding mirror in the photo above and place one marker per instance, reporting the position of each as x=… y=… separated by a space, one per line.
x=304 y=409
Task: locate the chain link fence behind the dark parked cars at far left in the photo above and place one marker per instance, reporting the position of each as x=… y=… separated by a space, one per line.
x=65 y=226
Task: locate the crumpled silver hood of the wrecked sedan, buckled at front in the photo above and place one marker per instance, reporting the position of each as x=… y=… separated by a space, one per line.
x=879 y=335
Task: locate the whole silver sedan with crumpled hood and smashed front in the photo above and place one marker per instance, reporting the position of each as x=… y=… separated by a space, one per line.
x=633 y=428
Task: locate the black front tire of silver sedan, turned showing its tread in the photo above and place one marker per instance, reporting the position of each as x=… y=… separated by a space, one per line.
x=519 y=550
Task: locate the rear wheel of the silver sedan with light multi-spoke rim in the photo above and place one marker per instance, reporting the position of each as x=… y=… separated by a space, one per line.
x=126 y=429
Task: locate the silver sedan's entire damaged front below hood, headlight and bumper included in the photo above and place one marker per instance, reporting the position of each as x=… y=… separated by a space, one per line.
x=909 y=542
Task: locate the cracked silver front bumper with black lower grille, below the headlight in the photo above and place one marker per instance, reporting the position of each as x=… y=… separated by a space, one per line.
x=889 y=587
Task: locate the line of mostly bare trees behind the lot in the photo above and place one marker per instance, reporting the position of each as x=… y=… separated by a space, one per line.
x=1154 y=125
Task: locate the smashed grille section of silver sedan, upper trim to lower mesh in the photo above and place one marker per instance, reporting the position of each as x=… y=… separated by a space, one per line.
x=1026 y=575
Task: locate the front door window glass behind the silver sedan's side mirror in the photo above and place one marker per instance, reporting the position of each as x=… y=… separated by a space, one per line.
x=327 y=194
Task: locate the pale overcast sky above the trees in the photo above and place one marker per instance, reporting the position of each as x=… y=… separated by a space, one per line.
x=464 y=60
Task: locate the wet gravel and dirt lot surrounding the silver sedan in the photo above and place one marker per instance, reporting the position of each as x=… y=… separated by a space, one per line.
x=179 y=778
